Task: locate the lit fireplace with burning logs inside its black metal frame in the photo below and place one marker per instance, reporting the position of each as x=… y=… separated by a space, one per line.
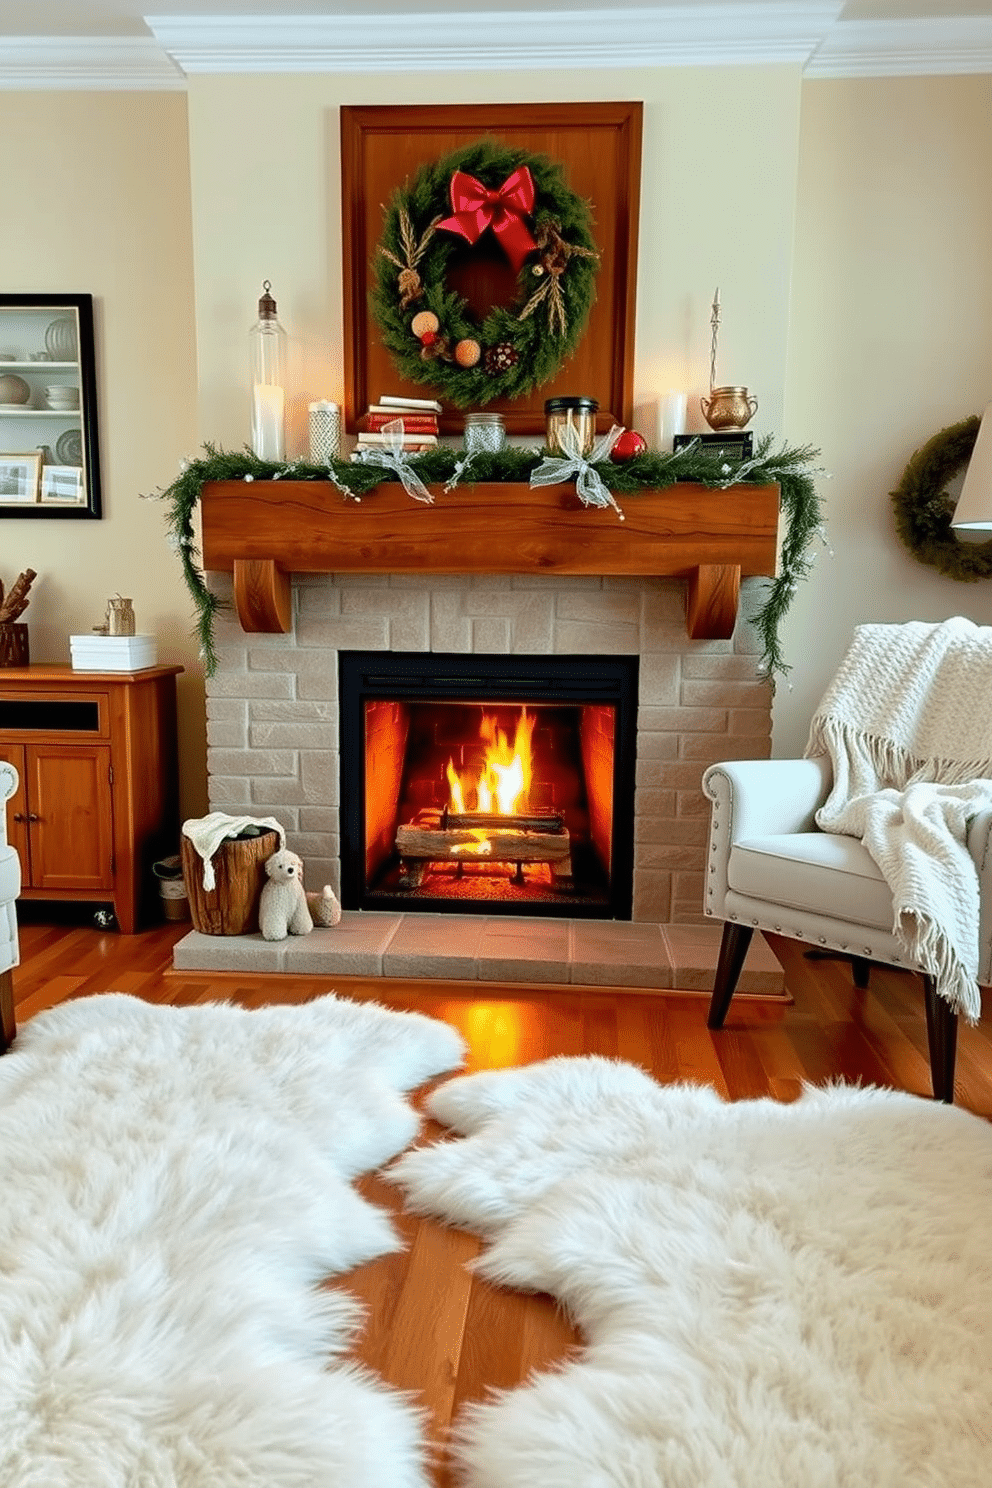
x=489 y=783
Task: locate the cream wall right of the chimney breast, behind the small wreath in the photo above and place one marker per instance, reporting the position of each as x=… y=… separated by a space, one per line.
x=890 y=343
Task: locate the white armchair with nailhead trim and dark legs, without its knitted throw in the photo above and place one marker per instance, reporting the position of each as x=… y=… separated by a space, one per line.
x=771 y=868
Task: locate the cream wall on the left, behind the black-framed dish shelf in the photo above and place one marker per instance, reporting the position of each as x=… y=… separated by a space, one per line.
x=97 y=202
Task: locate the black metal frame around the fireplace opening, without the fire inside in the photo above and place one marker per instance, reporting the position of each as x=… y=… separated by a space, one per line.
x=408 y=676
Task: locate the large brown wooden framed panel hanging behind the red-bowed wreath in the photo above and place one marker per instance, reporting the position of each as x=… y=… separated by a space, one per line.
x=599 y=150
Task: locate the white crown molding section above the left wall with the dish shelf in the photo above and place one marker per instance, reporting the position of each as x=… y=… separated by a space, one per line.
x=97 y=63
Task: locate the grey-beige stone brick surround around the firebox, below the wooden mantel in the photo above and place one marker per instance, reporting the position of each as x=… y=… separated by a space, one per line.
x=273 y=716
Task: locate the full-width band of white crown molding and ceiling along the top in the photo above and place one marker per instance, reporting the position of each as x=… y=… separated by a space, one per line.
x=120 y=44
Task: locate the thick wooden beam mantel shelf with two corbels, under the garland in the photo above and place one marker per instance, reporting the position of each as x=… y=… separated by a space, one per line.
x=263 y=532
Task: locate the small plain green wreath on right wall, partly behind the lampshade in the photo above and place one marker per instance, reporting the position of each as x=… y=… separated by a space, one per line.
x=924 y=508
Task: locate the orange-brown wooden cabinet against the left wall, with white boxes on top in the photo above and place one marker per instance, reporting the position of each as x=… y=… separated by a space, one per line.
x=99 y=797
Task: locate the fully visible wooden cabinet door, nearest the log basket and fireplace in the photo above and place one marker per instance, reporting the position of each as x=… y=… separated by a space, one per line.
x=71 y=819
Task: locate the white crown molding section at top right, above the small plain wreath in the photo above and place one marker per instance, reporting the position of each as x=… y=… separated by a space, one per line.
x=905 y=48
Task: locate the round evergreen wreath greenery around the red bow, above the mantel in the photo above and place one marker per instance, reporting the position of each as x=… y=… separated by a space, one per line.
x=538 y=341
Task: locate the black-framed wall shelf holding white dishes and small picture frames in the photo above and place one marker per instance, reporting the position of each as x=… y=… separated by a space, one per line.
x=50 y=459
